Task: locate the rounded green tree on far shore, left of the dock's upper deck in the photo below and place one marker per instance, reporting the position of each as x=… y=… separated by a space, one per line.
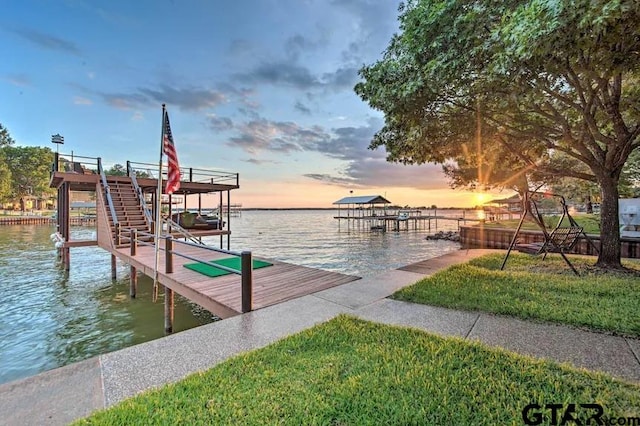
x=30 y=167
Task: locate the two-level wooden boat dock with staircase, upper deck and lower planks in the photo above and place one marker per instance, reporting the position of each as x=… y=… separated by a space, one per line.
x=125 y=211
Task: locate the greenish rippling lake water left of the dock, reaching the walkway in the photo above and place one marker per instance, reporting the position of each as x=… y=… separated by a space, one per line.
x=50 y=318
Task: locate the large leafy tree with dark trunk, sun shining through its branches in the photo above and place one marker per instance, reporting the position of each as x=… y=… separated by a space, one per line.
x=535 y=78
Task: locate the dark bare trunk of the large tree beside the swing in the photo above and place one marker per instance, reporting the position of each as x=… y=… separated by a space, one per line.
x=609 y=226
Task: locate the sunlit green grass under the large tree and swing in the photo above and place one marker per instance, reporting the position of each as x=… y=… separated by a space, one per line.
x=531 y=288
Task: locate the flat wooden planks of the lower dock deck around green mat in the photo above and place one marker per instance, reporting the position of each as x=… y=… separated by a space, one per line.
x=222 y=295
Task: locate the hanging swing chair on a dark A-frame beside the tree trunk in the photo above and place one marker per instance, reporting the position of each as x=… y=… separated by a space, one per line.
x=560 y=239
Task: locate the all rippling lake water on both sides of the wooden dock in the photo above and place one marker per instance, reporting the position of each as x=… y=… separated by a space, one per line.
x=50 y=318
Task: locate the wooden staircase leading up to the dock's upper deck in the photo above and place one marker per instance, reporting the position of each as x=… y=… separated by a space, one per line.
x=128 y=209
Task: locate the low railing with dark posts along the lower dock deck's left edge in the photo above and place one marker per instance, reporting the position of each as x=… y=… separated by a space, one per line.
x=137 y=237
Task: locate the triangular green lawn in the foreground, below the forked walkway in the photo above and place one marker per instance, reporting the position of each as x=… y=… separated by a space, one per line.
x=352 y=372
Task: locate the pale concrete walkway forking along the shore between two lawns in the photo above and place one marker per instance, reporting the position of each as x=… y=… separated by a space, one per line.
x=60 y=396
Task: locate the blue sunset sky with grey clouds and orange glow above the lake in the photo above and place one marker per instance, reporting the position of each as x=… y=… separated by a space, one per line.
x=263 y=88
